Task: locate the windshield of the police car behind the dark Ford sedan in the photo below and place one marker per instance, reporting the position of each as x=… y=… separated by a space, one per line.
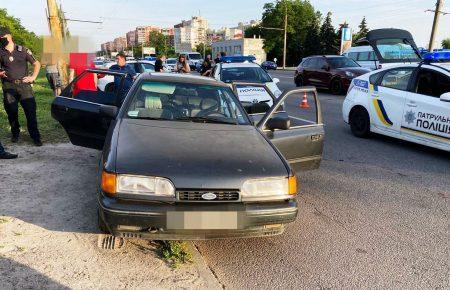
x=244 y=74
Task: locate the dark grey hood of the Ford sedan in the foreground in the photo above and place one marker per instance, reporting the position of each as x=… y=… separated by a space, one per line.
x=196 y=155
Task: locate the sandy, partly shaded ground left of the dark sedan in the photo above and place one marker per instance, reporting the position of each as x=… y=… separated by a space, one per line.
x=48 y=230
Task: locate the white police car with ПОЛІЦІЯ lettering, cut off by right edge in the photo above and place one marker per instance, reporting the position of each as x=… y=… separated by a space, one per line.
x=405 y=101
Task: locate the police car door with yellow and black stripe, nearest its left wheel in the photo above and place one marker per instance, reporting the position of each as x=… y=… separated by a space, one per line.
x=387 y=98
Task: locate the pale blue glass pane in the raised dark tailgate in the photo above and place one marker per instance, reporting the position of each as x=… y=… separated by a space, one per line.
x=397 y=49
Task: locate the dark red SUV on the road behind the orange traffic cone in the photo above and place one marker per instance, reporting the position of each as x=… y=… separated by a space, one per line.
x=331 y=72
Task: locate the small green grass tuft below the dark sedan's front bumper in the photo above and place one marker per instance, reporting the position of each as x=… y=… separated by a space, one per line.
x=175 y=253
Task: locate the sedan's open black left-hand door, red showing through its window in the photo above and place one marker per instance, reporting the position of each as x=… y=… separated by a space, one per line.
x=84 y=111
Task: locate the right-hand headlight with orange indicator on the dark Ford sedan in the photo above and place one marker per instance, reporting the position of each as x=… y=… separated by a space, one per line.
x=269 y=188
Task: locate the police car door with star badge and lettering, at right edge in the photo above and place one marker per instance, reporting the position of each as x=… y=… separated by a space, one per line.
x=426 y=116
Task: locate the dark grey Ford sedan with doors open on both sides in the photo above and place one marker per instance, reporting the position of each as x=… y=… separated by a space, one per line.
x=183 y=160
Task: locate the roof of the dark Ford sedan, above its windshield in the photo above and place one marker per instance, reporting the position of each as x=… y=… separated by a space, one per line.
x=182 y=78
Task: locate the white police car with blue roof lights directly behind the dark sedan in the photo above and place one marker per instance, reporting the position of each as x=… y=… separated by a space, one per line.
x=232 y=70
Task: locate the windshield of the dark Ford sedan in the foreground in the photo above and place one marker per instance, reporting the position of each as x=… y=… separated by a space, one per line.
x=182 y=102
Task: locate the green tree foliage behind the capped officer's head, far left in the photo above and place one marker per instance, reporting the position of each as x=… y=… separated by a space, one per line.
x=21 y=35
